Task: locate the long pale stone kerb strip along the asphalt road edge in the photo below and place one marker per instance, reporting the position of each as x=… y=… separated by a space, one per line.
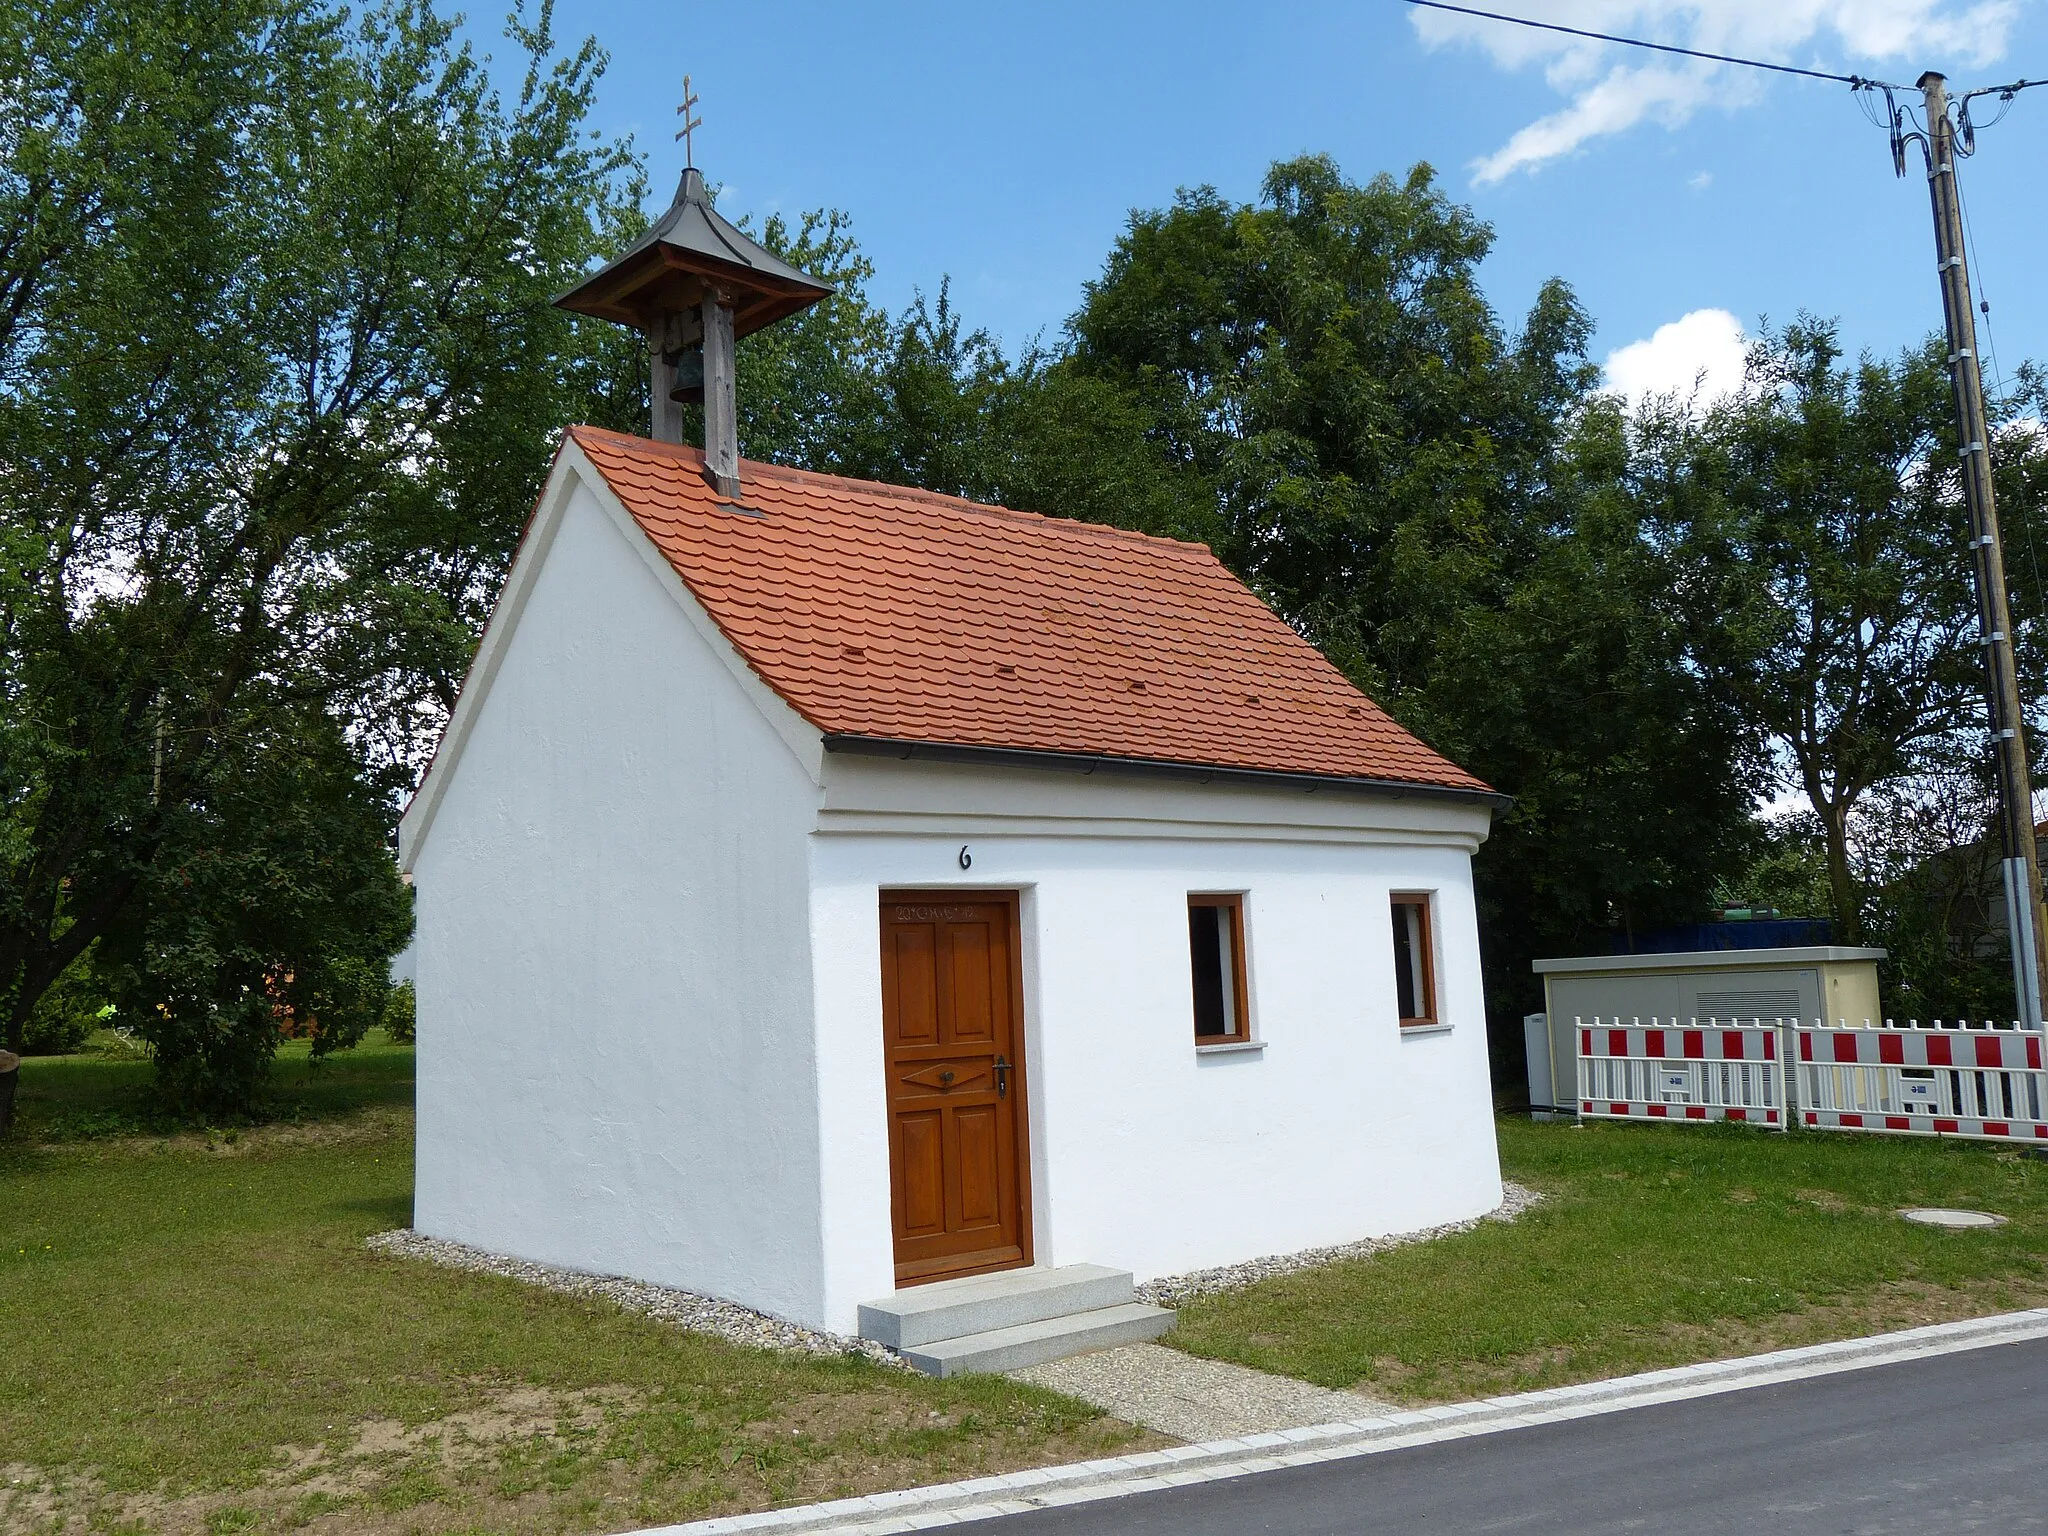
x=982 y=1498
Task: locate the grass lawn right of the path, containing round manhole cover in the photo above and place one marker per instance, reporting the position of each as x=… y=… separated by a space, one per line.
x=1656 y=1246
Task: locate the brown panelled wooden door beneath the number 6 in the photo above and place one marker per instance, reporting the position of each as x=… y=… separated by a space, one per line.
x=957 y=1127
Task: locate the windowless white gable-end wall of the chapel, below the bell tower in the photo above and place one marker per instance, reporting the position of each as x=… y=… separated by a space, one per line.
x=615 y=1002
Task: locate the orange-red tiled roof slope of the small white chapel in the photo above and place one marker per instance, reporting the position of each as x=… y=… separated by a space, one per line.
x=890 y=613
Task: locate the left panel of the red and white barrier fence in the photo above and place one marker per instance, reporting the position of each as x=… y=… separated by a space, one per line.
x=1680 y=1072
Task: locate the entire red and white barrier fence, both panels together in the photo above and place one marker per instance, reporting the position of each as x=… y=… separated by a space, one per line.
x=1959 y=1080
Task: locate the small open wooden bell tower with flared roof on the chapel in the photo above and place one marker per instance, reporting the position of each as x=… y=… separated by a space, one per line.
x=693 y=286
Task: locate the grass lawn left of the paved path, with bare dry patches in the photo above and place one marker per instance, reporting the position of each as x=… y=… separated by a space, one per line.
x=202 y=1342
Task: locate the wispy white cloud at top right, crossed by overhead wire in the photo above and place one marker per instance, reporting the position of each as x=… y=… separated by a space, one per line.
x=1611 y=89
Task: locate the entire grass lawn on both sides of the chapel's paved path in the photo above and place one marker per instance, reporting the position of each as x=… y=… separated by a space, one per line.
x=204 y=1345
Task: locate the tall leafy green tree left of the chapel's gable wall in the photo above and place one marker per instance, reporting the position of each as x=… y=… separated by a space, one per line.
x=278 y=384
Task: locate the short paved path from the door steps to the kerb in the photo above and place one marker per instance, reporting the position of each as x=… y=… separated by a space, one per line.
x=1197 y=1400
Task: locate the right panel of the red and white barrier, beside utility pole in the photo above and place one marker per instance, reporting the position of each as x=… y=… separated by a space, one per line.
x=1943 y=1082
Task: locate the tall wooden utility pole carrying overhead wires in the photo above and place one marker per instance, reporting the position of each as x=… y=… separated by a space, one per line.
x=1994 y=615
